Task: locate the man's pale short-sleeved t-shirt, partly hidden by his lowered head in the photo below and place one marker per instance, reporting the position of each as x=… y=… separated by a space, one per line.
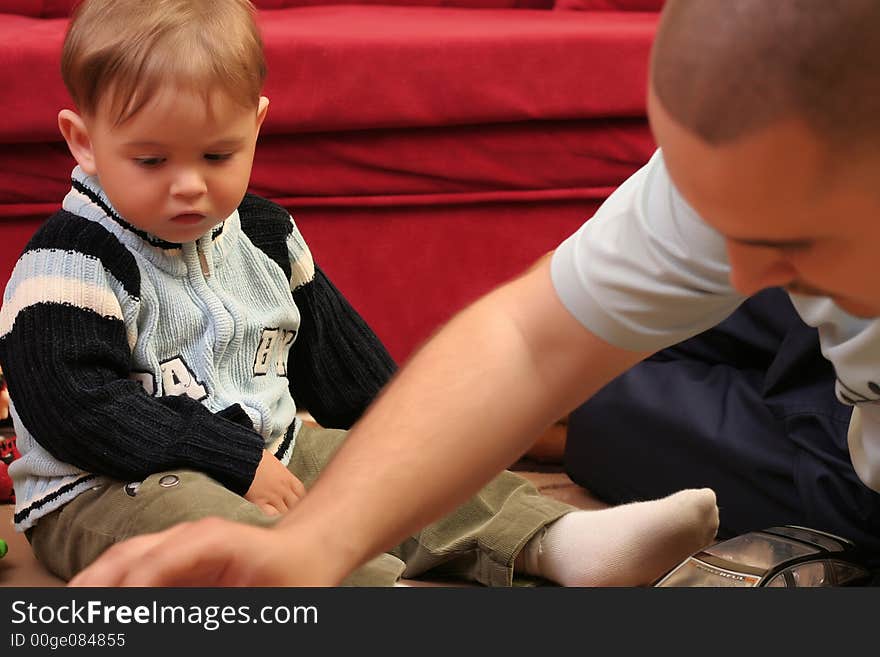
x=646 y=272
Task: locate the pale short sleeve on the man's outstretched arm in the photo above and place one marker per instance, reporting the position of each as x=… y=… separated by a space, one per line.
x=645 y=271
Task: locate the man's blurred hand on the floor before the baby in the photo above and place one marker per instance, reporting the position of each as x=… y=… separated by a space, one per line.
x=210 y=552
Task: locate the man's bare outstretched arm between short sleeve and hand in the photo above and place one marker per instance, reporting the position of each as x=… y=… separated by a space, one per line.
x=468 y=405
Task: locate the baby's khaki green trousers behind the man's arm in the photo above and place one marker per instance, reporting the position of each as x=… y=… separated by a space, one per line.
x=478 y=541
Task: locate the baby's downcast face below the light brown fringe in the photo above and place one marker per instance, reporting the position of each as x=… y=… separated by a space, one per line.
x=181 y=165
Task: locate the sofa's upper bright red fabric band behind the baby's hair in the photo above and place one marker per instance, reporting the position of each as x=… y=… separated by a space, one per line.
x=356 y=67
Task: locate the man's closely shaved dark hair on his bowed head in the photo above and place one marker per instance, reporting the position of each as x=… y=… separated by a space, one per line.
x=727 y=68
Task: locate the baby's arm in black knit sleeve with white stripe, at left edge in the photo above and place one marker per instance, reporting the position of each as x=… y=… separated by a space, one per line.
x=66 y=356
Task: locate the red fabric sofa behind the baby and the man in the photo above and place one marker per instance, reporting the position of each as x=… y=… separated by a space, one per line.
x=427 y=152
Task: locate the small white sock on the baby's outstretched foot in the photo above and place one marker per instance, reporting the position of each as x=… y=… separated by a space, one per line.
x=627 y=545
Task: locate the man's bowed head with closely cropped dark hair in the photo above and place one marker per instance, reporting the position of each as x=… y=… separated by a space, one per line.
x=768 y=114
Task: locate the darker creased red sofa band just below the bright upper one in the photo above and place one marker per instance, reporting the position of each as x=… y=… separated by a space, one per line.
x=571 y=159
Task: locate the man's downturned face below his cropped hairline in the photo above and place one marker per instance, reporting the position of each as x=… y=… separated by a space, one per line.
x=790 y=214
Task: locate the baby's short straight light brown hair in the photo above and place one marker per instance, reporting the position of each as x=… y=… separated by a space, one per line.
x=130 y=49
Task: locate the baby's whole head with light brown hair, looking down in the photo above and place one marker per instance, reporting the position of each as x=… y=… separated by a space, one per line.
x=168 y=105
